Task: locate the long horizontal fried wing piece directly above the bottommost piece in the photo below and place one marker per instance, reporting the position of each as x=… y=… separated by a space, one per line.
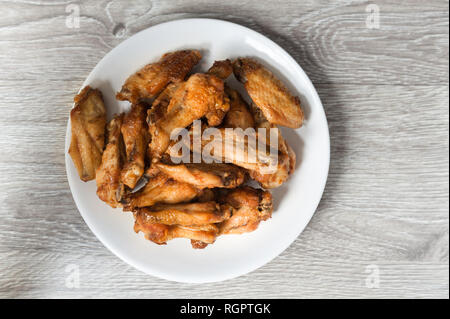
x=191 y=214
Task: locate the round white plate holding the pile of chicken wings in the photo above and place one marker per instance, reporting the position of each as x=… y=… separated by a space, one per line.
x=295 y=202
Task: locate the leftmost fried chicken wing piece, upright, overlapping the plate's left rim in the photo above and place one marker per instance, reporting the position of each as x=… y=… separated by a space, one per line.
x=88 y=120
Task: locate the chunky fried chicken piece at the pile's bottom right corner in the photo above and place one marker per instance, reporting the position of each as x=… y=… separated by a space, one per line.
x=249 y=207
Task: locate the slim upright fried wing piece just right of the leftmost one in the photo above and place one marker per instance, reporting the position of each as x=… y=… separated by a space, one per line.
x=109 y=187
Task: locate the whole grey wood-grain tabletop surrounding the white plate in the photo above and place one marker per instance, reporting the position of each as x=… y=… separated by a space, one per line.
x=385 y=92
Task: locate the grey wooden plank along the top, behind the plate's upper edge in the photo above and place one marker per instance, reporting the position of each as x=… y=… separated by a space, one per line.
x=330 y=40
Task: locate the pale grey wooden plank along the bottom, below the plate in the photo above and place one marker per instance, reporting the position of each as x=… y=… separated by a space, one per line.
x=101 y=275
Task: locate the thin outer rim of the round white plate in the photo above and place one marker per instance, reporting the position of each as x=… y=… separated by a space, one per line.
x=269 y=257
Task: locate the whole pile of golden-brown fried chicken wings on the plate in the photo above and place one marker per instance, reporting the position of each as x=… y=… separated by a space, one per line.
x=132 y=157
